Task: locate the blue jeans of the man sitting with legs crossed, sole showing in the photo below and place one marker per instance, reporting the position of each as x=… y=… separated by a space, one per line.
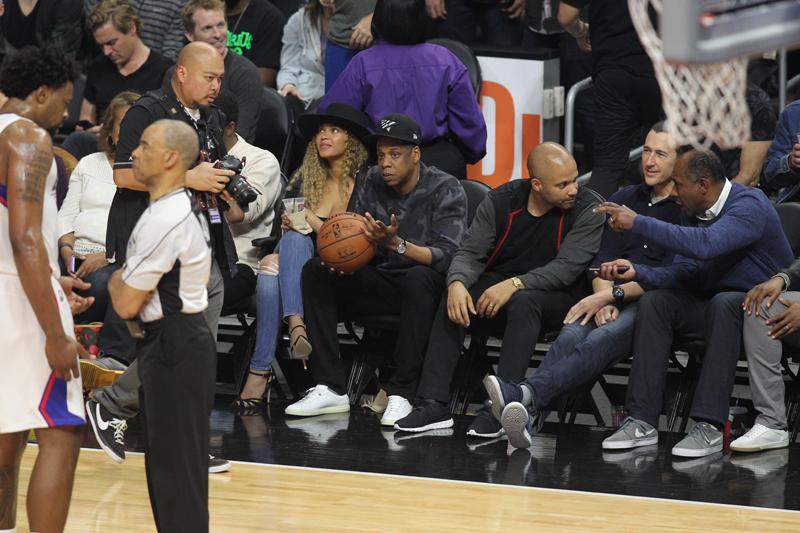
x=580 y=354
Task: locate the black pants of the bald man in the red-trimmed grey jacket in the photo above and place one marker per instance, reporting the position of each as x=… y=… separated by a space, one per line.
x=520 y=322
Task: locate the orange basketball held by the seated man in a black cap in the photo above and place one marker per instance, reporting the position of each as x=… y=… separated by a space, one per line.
x=342 y=244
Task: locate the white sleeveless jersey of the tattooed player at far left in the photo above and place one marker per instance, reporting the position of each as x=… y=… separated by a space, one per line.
x=49 y=215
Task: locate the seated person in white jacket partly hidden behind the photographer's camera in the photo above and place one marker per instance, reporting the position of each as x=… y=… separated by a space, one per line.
x=251 y=195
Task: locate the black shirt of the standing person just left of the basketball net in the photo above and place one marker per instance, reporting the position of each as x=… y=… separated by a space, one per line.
x=615 y=43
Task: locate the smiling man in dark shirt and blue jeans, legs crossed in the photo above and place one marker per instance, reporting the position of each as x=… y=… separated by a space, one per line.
x=598 y=330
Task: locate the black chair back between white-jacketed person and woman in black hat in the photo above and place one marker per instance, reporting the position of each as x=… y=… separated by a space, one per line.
x=275 y=128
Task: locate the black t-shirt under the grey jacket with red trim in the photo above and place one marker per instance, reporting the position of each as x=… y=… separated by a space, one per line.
x=532 y=242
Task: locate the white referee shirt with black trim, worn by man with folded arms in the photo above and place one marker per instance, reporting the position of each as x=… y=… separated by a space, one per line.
x=169 y=252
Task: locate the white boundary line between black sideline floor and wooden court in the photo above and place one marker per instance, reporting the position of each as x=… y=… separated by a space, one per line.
x=497 y=485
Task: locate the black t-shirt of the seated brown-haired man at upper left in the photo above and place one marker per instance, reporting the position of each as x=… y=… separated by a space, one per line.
x=104 y=81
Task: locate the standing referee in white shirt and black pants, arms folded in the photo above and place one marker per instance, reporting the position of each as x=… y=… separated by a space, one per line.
x=161 y=291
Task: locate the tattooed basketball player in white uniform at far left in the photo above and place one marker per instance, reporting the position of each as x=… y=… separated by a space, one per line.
x=40 y=386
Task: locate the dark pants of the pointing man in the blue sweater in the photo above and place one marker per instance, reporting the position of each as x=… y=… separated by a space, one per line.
x=668 y=315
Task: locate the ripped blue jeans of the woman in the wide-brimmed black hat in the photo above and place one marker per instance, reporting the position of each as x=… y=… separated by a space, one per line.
x=279 y=296
